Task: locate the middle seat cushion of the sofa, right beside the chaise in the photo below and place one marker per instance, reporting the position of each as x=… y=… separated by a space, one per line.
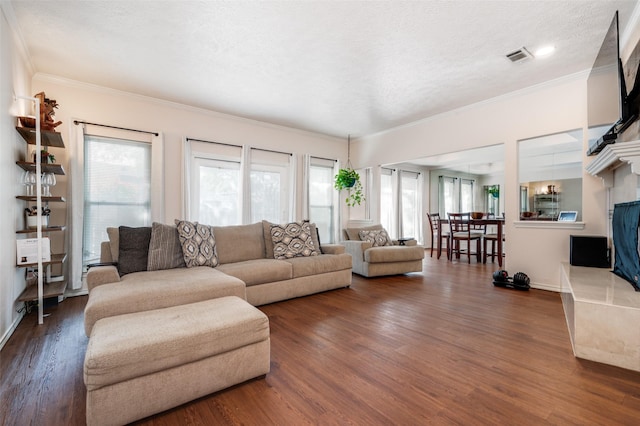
x=258 y=271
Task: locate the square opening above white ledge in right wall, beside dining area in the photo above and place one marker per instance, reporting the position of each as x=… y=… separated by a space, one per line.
x=550 y=175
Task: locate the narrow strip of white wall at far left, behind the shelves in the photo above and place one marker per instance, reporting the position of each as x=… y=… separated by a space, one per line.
x=14 y=80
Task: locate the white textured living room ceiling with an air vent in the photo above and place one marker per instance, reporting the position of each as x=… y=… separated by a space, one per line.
x=333 y=67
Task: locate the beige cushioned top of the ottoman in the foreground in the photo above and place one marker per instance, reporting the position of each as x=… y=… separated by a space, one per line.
x=169 y=337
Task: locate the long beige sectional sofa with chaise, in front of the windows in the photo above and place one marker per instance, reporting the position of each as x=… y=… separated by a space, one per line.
x=246 y=268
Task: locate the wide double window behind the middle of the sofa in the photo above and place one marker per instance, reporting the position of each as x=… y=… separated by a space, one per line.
x=234 y=184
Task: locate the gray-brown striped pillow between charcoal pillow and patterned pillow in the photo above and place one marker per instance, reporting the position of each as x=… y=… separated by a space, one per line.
x=165 y=250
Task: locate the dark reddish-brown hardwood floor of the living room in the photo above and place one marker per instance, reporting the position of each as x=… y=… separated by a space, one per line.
x=439 y=347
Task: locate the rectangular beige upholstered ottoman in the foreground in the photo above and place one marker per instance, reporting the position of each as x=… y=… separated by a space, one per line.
x=143 y=363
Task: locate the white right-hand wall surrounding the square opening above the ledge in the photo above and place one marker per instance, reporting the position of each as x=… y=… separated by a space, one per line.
x=545 y=109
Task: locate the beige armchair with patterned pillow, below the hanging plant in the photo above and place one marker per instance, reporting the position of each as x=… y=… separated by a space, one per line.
x=372 y=259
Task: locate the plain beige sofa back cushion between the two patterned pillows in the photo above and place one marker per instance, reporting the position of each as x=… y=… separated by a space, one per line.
x=239 y=243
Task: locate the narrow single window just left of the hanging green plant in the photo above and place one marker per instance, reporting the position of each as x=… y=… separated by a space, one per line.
x=322 y=197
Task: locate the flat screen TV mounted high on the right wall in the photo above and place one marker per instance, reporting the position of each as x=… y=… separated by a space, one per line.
x=610 y=110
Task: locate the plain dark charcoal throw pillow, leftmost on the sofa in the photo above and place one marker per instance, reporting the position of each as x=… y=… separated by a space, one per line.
x=133 y=249
